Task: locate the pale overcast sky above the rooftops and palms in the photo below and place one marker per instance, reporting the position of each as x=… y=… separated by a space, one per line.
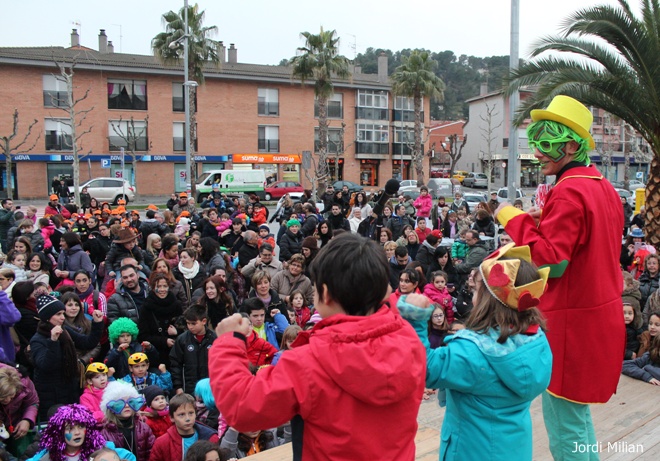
x=265 y=31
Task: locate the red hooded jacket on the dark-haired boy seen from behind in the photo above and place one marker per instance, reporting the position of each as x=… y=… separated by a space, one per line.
x=348 y=371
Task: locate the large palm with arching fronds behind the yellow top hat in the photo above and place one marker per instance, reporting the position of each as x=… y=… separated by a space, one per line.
x=605 y=57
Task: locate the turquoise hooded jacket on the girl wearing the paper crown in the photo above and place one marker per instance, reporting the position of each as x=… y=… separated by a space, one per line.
x=488 y=386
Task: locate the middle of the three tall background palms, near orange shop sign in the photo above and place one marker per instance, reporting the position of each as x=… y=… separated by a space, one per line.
x=319 y=60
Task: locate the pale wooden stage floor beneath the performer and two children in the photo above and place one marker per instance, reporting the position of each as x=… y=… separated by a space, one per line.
x=630 y=418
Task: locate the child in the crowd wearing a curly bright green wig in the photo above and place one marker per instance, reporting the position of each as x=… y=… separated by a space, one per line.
x=123 y=333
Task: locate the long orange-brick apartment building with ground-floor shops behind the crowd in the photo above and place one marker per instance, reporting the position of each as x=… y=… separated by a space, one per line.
x=247 y=116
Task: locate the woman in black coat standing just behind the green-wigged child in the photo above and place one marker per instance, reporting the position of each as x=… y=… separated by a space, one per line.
x=158 y=316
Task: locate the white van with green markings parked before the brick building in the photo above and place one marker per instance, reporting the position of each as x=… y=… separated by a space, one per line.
x=231 y=182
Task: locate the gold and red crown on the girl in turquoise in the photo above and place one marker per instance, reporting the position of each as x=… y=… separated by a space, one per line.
x=499 y=277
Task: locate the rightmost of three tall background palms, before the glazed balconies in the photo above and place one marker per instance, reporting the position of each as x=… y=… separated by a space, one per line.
x=415 y=78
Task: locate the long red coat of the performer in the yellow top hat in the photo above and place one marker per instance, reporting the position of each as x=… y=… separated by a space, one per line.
x=579 y=237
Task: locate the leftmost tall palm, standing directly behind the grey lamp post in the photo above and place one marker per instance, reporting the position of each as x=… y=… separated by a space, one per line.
x=201 y=50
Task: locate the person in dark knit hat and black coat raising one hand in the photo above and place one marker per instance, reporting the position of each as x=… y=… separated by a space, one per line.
x=57 y=374
